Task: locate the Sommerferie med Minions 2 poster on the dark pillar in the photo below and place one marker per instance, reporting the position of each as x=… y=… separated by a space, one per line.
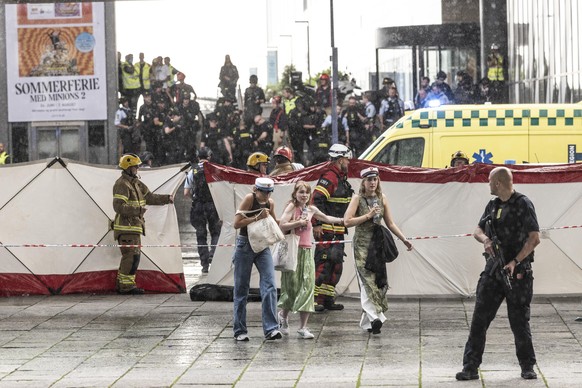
x=56 y=62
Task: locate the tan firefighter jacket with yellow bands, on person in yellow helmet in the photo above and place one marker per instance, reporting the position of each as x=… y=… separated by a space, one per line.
x=130 y=195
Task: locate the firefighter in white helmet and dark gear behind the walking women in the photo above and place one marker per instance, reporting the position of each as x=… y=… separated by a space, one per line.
x=331 y=195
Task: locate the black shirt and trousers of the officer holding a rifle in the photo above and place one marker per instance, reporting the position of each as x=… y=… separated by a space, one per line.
x=513 y=221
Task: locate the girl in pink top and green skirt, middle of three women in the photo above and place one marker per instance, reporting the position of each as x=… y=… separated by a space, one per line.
x=297 y=287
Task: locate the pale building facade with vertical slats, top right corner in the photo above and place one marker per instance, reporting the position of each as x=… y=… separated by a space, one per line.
x=545 y=57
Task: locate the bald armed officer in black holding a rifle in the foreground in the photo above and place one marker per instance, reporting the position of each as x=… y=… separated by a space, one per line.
x=511 y=238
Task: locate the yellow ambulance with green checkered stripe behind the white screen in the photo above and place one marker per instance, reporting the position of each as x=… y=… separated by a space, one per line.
x=496 y=134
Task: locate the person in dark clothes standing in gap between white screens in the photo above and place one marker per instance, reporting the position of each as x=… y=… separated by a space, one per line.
x=203 y=215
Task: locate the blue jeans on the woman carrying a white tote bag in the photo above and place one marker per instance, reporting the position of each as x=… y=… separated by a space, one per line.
x=243 y=261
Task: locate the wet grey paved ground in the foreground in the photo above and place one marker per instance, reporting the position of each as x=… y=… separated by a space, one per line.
x=167 y=340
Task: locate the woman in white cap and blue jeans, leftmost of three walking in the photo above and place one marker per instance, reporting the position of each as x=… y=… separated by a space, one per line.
x=255 y=206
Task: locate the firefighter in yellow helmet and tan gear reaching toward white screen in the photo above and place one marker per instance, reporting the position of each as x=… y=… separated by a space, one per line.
x=130 y=196
